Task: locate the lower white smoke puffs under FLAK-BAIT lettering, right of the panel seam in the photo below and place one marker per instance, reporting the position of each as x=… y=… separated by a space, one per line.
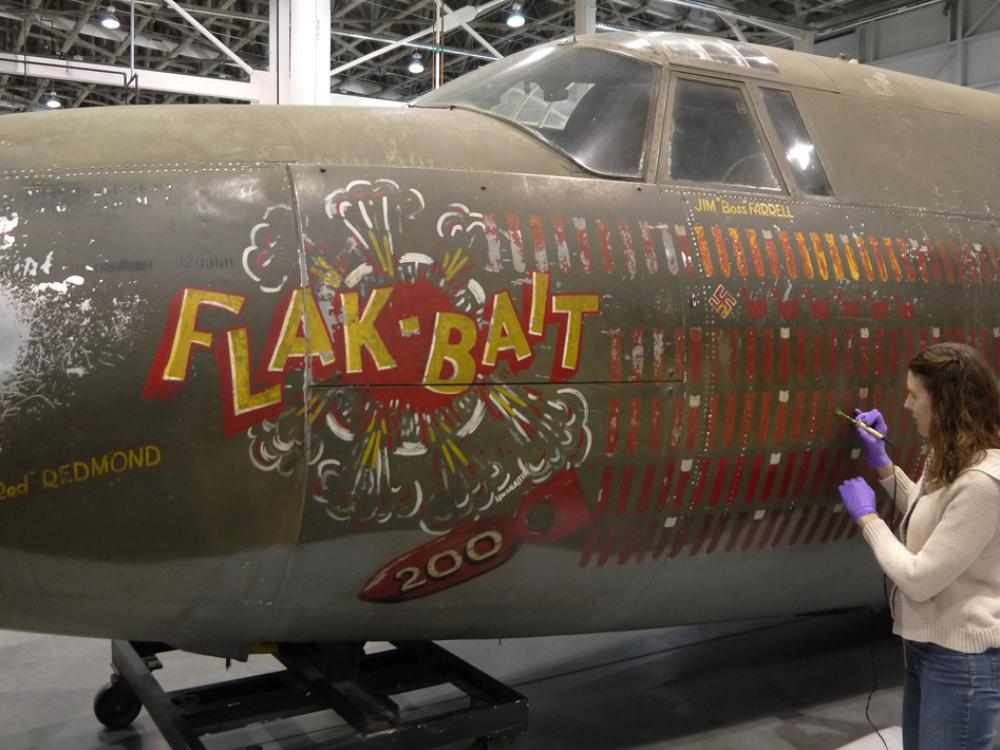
x=543 y=437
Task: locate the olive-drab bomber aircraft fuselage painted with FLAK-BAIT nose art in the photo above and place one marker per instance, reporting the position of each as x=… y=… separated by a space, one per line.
x=556 y=349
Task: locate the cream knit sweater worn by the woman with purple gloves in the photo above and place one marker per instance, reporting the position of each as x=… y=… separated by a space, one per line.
x=947 y=567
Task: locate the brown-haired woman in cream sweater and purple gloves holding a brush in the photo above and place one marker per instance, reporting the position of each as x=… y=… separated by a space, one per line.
x=946 y=601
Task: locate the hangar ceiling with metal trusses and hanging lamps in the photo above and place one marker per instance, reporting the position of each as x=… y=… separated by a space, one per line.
x=70 y=33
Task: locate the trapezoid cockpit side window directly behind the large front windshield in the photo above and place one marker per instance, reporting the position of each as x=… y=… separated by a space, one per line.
x=714 y=138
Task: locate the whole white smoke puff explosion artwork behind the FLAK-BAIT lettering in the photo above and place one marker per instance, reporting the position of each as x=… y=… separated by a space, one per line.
x=390 y=450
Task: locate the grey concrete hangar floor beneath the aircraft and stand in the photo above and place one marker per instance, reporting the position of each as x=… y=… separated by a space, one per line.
x=772 y=684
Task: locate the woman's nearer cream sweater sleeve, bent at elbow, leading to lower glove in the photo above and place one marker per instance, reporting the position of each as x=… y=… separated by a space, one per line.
x=966 y=527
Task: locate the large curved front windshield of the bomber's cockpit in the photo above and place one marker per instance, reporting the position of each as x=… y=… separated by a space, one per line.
x=591 y=104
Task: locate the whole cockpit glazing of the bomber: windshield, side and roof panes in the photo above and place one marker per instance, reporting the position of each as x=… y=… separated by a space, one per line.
x=593 y=102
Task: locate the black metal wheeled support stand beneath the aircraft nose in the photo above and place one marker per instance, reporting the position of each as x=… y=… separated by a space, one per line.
x=324 y=676
